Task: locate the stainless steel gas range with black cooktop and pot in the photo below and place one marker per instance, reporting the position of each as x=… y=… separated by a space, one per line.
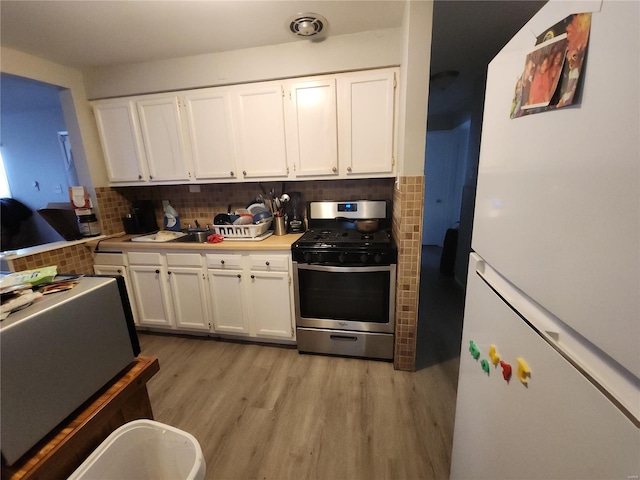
x=345 y=280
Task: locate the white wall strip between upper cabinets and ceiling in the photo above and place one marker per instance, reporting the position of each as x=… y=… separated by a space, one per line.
x=380 y=48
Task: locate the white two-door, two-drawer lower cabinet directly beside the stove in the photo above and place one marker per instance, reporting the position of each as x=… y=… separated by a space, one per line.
x=252 y=294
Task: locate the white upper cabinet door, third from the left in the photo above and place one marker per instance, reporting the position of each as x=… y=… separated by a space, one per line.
x=208 y=115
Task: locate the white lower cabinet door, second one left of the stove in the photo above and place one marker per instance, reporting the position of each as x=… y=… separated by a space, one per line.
x=229 y=314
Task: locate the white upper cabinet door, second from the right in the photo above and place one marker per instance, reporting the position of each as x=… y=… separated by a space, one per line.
x=312 y=128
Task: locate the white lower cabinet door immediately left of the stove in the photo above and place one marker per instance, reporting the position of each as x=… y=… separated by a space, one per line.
x=270 y=303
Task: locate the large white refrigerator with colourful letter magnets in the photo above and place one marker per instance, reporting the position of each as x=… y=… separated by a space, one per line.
x=553 y=295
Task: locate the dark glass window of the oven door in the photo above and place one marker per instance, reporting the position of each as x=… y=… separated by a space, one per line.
x=344 y=296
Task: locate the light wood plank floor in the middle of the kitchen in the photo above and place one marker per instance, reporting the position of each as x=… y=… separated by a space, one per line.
x=267 y=412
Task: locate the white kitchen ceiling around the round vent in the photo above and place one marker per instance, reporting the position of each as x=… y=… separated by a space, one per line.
x=84 y=34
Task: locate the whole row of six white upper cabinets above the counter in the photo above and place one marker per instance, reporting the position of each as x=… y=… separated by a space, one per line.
x=330 y=126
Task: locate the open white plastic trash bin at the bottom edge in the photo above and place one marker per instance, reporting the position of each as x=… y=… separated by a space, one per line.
x=144 y=450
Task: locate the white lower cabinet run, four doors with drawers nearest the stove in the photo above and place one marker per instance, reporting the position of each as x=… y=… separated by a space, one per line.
x=236 y=293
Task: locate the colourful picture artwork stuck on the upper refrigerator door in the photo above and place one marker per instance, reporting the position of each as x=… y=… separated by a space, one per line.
x=552 y=70
